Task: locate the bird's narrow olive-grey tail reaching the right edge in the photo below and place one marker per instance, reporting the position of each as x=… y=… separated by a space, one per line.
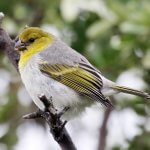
x=131 y=91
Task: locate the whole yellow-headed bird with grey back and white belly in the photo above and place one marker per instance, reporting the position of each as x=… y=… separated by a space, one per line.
x=49 y=66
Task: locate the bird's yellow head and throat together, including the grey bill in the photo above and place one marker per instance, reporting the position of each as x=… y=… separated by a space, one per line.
x=31 y=41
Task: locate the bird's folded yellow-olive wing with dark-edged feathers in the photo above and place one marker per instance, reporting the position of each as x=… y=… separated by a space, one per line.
x=81 y=77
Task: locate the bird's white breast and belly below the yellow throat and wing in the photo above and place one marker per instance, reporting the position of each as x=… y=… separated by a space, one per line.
x=38 y=84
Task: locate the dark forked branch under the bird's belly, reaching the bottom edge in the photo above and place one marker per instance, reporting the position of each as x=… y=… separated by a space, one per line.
x=57 y=127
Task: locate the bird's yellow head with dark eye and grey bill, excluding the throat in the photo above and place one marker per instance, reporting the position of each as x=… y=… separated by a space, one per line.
x=33 y=38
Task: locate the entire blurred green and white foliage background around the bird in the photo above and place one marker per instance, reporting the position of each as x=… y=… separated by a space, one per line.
x=115 y=37
